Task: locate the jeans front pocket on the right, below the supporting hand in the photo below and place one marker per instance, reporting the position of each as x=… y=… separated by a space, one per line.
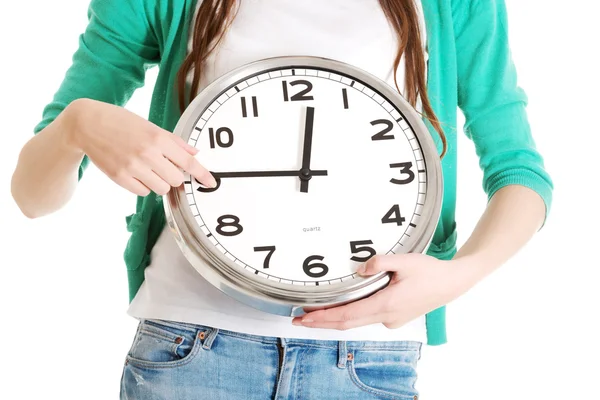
x=388 y=374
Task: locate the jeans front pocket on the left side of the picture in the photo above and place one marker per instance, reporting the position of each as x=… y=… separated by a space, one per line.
x=164 y=345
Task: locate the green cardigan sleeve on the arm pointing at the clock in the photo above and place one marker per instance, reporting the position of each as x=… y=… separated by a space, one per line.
x=110 y=63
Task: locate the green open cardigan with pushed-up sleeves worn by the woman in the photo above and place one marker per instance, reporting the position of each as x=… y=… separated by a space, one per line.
x=470 y=68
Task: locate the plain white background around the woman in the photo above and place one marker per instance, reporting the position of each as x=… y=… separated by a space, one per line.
x=529 y=331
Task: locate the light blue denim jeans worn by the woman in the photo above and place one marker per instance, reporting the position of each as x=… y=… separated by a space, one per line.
x=176 y=361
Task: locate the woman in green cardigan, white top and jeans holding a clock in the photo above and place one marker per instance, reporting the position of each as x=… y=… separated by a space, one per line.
x=193 y=342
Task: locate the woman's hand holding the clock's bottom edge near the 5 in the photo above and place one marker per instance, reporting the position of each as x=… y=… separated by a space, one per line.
x=419 y=284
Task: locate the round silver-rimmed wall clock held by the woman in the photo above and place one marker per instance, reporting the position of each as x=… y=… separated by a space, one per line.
x=320 y=166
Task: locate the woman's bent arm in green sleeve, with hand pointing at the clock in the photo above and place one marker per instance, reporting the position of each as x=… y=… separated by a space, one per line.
x=86 y=120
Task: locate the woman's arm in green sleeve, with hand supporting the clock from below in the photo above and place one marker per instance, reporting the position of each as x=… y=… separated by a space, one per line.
x=518 y=187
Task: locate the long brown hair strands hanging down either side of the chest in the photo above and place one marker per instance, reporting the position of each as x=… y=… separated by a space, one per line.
x=214 y=17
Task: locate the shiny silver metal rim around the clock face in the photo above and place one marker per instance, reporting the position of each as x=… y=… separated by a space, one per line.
x=269 y=295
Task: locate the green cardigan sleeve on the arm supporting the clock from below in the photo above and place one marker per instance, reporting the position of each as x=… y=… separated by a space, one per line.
x=492 y=102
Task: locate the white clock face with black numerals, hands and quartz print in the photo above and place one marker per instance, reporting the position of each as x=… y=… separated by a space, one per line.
x=263 y=138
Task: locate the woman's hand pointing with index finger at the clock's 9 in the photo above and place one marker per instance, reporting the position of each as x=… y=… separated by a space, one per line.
x=136 y=154
